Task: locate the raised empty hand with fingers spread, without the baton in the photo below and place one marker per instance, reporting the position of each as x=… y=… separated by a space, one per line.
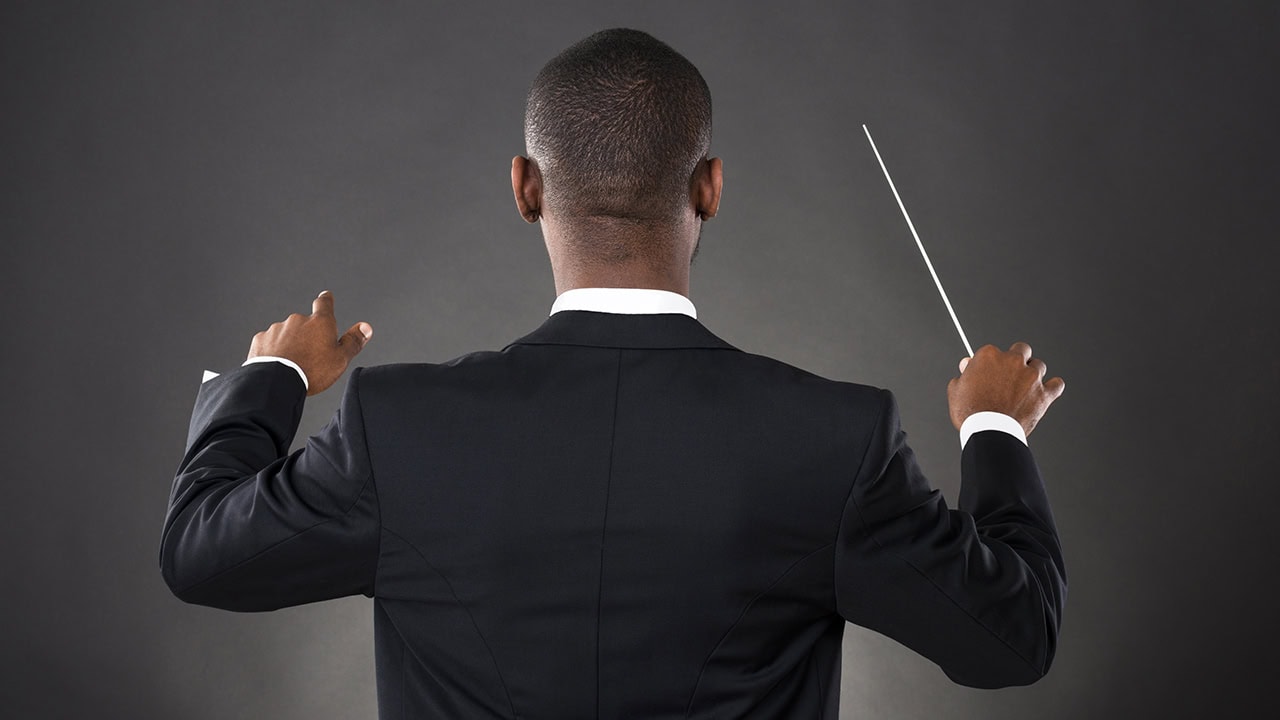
x=313 y=343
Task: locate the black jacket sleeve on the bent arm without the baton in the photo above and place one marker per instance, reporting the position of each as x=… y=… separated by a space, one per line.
x=252 y=527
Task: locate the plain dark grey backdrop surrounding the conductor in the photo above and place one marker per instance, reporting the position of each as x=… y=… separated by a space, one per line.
x=1099 y=179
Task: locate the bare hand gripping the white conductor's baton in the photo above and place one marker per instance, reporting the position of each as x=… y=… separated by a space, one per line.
x=1009 y=382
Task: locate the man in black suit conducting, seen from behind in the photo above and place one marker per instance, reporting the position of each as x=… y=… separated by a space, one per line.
x=619 y=516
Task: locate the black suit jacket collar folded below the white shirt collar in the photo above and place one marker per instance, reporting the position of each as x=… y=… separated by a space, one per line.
x=665 y=331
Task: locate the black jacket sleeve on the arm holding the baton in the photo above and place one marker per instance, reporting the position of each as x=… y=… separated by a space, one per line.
x=980 y=590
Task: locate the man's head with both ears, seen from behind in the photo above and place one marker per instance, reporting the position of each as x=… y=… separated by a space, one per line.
x=618 y=130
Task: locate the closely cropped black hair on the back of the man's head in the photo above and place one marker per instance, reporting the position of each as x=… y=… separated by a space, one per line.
x=618 y=125
